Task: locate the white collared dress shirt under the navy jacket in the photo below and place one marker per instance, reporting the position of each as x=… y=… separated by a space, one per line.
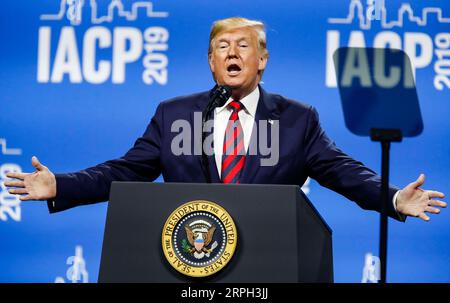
x=246 y=117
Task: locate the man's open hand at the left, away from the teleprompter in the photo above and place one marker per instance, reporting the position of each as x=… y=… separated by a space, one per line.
x=40 y=185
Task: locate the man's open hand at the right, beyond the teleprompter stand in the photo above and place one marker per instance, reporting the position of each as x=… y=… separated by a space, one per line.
x=414 y=201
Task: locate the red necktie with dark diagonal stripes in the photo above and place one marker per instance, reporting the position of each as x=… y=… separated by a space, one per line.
x=233 y=157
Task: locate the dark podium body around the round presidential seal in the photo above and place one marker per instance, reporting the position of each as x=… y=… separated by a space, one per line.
x=280 y=235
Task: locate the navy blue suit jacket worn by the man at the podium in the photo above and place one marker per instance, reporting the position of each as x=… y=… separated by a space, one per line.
x=304 y=150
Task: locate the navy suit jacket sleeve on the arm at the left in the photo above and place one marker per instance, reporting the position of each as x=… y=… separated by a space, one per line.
x=140 y=163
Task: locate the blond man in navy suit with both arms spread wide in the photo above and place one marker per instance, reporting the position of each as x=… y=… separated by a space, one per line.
x=237 y=58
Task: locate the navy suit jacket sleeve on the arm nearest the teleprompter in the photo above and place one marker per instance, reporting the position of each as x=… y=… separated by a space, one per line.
x=337 y=171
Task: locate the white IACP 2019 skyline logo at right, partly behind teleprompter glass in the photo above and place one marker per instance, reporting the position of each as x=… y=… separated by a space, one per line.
x=386 y=27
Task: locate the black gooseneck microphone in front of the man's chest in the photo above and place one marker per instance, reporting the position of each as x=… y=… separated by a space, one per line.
x=219 y=96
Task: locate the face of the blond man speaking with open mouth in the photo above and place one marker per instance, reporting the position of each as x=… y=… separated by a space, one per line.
x=236 y=60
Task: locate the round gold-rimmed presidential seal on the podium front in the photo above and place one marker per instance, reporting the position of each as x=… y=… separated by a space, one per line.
x=199 y=238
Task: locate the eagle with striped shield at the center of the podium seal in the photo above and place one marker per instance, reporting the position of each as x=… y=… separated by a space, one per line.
x=199 y=235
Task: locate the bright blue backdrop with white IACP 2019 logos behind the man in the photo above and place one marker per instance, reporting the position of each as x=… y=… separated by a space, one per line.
x=79 y=83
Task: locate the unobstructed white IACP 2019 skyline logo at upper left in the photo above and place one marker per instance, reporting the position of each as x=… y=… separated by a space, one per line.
x=73 y=40
